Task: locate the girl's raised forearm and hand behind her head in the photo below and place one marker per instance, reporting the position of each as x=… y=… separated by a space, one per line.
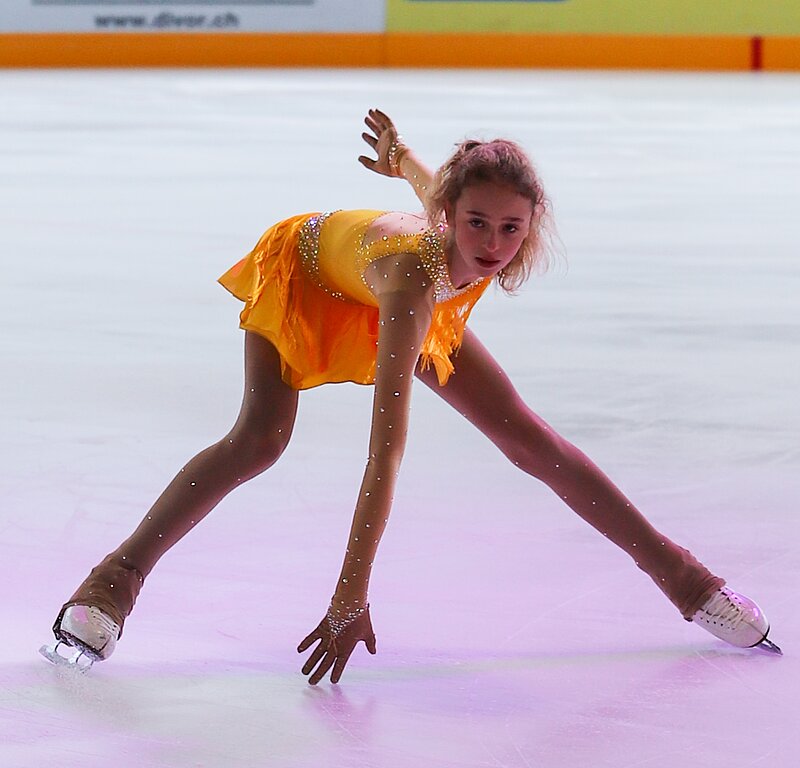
x=394 y=158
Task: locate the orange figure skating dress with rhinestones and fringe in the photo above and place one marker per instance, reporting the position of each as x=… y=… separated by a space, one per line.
x=304 y=291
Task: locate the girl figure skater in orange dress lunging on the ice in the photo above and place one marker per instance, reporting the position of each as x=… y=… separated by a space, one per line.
x=379 y=297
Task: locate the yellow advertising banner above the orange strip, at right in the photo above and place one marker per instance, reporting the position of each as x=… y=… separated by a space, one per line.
x=609 y=17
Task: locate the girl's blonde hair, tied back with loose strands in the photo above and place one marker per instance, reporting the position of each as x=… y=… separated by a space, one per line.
x=503 y=162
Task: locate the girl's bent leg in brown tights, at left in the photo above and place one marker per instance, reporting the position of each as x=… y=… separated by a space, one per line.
x=255 y=442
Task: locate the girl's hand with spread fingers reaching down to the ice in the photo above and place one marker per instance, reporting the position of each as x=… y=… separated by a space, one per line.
x=336 y=643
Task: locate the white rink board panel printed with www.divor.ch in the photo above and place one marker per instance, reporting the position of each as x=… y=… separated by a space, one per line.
x=198 y=16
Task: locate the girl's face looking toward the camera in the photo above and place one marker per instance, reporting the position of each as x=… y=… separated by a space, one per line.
x=488 y=223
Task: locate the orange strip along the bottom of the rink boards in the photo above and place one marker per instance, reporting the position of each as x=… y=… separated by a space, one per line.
x=398 y=49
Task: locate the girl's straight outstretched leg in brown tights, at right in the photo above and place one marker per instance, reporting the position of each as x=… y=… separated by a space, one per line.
x=482 y=392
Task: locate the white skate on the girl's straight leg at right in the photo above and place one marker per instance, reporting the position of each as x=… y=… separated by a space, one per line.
x=735 y=619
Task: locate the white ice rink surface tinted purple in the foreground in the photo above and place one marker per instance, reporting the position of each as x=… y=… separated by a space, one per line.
x=510 y=634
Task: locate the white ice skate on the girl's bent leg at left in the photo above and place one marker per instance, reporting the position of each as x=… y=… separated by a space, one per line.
x=88 y=633
